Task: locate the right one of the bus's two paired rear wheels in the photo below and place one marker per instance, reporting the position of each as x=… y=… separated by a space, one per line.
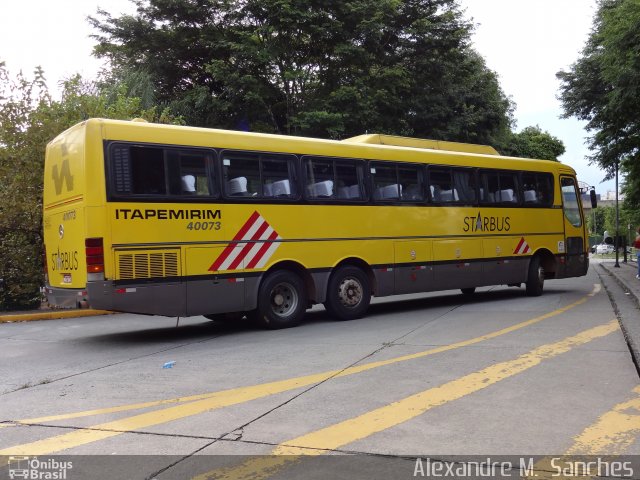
x=348 y=294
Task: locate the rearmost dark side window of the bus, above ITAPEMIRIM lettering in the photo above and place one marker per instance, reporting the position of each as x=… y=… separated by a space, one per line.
x=142 y=170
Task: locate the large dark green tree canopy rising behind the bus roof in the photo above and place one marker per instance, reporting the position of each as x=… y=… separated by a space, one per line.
x=310 y=67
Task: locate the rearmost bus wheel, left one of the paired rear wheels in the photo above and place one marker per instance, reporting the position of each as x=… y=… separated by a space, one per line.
x=282 y=300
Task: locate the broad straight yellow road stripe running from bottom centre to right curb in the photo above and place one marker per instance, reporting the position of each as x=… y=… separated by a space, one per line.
x=362 y=426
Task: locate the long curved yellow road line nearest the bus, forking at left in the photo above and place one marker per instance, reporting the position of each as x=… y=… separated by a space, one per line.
x=196 y=404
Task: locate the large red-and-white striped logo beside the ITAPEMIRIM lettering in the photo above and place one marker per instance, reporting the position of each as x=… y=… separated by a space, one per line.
x=254 y=244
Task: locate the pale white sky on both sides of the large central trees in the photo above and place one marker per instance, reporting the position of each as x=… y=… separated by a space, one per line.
x=524 y=41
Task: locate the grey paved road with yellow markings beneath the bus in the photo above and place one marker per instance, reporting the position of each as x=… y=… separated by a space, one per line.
x=421 y=378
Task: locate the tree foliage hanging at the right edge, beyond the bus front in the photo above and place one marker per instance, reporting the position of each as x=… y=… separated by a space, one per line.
x=603 y=88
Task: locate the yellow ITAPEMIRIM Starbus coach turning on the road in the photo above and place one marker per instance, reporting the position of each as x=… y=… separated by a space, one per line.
x=181 y=221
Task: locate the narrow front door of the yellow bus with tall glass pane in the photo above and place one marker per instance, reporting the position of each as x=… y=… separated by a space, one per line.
x=573 y=246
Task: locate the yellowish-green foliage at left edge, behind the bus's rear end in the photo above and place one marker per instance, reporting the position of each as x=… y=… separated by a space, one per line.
x=29 y=119
